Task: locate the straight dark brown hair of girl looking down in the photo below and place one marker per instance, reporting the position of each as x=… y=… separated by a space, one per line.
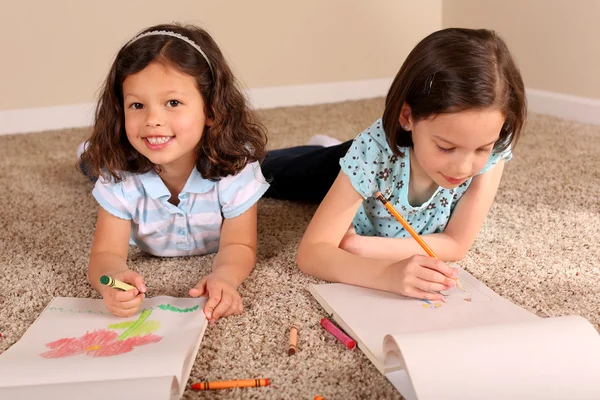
x=455 y=70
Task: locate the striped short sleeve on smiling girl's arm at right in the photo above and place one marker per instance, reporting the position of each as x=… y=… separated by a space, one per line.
x=237 y=193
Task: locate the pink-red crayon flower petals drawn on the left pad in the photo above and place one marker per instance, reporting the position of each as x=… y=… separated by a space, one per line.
x=98 y=343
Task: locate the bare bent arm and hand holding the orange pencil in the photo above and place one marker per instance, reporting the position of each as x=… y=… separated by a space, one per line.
x=319 y=253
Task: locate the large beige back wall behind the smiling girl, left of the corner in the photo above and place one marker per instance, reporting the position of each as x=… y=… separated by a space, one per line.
x=58 y=52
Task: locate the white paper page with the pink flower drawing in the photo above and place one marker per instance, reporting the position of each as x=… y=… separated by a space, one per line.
x=176 y=326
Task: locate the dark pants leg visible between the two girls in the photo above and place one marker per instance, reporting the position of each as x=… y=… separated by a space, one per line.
x=303 y=173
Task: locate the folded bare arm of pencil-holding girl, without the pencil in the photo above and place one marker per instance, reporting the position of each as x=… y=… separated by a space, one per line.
x=459 y=235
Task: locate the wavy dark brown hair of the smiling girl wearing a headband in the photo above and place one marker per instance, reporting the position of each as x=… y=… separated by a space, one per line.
x=235 y=138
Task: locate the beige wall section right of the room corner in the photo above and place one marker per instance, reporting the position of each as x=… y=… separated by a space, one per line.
x=556 y=42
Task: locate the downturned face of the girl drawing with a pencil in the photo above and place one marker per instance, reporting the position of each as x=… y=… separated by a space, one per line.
x=451 y=148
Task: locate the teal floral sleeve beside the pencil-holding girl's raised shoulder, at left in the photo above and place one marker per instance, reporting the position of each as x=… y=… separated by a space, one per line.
x=361 y=164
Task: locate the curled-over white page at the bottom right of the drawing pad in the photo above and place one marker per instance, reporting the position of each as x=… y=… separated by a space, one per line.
x=553 y=358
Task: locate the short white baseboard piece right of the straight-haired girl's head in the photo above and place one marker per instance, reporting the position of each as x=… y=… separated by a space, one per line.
x=580 y=109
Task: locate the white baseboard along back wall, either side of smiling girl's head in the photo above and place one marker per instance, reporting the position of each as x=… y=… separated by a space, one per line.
x=81 y=115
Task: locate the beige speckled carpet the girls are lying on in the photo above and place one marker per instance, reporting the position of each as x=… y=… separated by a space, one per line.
x=539 y=248
